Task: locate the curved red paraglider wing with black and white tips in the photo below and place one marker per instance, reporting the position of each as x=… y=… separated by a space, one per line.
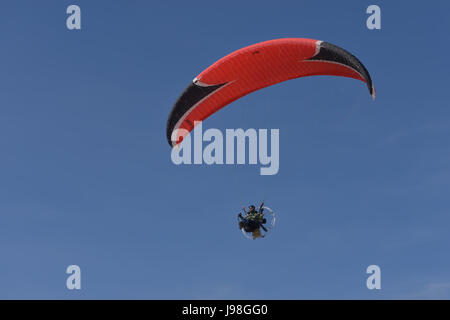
x=256 y=67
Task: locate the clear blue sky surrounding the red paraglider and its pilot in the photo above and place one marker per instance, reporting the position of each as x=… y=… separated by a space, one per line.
x=86 y=176
